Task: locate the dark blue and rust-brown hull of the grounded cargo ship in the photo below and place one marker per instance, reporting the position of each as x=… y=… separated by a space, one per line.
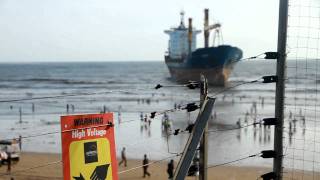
x=215 y=63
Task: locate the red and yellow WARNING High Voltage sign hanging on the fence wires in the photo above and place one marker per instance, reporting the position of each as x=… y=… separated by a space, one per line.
x=88 y=147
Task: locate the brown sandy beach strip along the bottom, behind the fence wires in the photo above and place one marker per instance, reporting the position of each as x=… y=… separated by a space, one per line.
x=157 y=170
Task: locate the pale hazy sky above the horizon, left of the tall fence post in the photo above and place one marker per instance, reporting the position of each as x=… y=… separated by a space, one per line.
x=124 y=30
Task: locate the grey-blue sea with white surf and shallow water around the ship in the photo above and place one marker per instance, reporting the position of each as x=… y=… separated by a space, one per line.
x=128 y=88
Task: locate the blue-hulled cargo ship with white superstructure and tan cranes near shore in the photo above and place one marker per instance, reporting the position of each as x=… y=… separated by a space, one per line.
x=186 y=62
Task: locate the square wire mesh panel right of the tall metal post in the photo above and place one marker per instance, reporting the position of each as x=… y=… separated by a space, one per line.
x=301 y=133
